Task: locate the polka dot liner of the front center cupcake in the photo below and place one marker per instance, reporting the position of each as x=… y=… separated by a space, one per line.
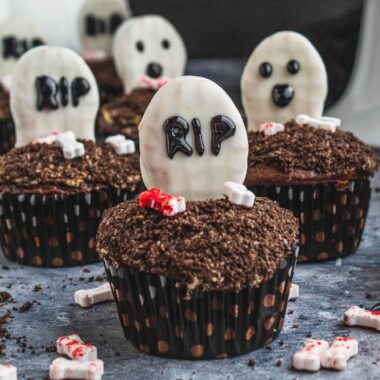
x=160 y=319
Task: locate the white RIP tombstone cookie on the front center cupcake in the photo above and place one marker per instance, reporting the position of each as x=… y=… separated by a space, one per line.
x=192 y=140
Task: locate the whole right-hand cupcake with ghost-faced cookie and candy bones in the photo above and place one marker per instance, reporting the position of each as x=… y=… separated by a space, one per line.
x=300 y=158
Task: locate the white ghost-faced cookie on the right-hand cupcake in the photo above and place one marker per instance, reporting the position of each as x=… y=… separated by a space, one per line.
x=284 y=77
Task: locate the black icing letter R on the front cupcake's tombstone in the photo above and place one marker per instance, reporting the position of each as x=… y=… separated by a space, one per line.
x=176 y=129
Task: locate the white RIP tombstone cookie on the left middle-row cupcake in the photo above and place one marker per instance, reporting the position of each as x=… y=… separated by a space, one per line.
x=53 y=89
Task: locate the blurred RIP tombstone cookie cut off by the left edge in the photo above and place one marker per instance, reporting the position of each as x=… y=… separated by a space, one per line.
x=17 y=35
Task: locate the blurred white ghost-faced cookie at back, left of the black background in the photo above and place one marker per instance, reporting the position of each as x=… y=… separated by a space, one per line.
x=148 y=51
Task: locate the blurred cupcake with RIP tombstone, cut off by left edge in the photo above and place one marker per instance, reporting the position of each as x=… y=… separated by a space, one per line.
x=16 y=37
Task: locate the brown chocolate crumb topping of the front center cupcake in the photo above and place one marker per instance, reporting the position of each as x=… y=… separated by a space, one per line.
x=213 y=245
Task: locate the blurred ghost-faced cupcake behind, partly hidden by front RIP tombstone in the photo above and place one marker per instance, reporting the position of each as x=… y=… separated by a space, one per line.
x=148 y=52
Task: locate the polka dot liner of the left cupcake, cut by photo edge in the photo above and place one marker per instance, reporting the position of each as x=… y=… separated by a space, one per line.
x=54 y=230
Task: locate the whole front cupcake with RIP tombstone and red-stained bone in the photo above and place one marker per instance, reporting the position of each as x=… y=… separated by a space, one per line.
x=197 y=274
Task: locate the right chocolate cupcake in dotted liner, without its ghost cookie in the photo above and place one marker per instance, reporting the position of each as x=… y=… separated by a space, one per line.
x=324 y=177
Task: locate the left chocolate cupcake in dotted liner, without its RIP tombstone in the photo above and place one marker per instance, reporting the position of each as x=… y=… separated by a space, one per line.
x=51 y=205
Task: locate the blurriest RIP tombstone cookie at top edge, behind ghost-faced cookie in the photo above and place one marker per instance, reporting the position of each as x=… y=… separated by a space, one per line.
x=97 y=23
